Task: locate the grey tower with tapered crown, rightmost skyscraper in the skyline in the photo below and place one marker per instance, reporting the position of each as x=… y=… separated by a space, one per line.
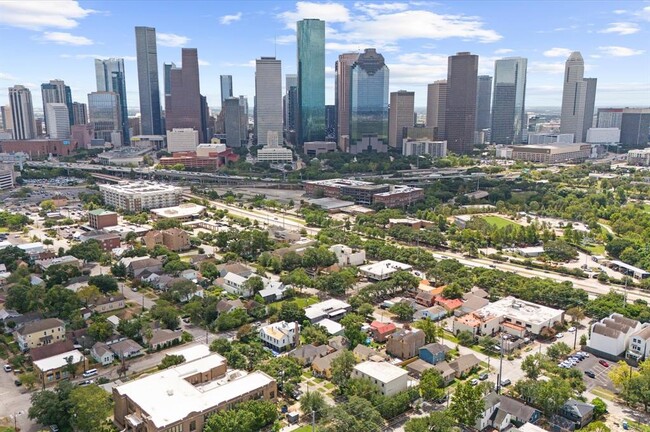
x=578 y=98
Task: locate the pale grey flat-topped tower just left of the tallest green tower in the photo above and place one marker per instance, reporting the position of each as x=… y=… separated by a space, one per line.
x=268 y=101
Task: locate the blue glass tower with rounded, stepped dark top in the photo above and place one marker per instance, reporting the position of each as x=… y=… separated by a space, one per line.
x=369 y=97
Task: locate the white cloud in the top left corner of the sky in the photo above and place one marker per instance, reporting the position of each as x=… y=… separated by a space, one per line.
x=40 y=14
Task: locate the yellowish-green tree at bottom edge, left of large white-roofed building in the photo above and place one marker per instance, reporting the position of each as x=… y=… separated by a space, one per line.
x=89 y=407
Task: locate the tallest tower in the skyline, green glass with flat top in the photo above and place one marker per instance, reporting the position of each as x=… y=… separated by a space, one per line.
x=311 y=80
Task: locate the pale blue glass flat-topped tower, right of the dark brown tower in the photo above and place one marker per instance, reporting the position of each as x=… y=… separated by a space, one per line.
x=508 y=105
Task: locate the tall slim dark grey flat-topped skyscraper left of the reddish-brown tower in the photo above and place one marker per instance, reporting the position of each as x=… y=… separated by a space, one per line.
x=147 y=56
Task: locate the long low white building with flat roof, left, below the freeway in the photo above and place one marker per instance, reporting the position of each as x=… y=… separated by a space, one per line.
x=140 y=195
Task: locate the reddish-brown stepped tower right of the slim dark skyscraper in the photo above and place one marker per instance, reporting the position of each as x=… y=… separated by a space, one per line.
x=183 y=107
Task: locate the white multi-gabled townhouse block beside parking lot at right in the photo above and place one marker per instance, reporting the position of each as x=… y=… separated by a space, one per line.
x=611 y=335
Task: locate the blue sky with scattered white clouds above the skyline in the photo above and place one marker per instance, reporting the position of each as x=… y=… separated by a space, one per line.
x=43 y=40
